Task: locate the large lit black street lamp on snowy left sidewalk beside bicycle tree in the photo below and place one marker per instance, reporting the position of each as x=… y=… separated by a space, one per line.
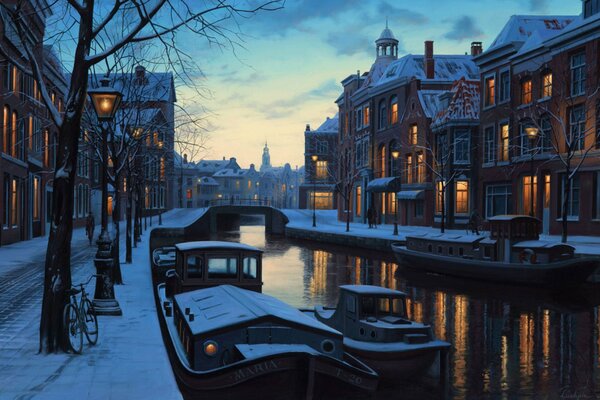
x=106 y=101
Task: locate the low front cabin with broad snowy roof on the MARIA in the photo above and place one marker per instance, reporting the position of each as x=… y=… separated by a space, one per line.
x=225 y=324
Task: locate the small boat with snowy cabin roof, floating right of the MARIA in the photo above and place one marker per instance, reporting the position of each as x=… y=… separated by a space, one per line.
x=377 y=331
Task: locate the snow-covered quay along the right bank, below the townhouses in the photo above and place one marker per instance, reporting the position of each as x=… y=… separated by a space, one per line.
x=327 y=222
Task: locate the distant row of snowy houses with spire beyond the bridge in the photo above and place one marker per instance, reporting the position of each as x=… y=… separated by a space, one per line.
x=222 y=182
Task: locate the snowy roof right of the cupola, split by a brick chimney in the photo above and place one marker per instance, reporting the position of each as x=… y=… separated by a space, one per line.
x=447 y=68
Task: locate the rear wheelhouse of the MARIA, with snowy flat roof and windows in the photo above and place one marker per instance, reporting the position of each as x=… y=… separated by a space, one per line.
x=205 y=264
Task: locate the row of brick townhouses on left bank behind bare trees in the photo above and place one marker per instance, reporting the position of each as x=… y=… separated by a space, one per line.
x=28 y=136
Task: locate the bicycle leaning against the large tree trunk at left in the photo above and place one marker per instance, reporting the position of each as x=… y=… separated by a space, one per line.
x=79 y=318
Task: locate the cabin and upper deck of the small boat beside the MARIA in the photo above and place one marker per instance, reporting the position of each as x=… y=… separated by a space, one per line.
x=374 y=314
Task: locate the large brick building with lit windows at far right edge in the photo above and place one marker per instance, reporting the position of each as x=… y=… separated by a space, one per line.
x=542 y=72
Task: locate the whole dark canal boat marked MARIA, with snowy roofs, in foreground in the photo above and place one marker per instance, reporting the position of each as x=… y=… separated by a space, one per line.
x=226 y=340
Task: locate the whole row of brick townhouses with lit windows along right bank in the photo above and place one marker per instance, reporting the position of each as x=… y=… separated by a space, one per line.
x=514 y=129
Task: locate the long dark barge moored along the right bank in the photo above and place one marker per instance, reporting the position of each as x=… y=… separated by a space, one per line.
x=513 y=253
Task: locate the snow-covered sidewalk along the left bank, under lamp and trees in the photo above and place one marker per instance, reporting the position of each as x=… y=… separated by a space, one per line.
x=129 y=361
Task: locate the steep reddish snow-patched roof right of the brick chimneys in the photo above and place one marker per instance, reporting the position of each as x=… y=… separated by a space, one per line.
x=464 y=105
